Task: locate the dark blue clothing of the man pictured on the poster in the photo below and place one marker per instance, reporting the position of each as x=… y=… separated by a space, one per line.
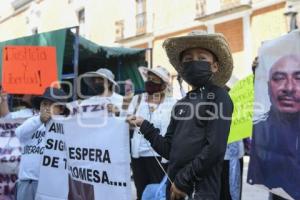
x=275 y=155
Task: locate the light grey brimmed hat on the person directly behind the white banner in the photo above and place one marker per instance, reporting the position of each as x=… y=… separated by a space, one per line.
x=103 y=73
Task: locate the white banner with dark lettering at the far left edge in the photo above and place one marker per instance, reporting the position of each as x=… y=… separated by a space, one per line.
x=10 y=154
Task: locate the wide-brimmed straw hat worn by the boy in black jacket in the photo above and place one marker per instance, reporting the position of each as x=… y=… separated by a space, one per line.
x=213 y=42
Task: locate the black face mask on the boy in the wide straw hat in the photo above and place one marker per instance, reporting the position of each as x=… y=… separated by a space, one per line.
x=196 y=73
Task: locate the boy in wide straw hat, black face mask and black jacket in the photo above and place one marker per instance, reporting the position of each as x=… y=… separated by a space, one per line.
x=196 y=139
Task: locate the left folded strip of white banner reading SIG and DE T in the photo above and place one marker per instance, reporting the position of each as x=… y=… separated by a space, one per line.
x=53 y=181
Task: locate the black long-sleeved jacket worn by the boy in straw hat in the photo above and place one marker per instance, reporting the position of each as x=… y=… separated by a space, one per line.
x=196 y=140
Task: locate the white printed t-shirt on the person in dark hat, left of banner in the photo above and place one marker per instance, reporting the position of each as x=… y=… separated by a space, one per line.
x=31 y=135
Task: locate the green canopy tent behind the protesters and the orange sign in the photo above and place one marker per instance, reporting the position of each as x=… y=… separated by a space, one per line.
x=76 y=55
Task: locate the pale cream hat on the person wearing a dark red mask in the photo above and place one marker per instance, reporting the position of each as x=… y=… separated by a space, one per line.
x=159 y=71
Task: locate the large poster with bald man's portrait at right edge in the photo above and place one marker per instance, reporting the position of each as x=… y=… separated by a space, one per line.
x=275 y=152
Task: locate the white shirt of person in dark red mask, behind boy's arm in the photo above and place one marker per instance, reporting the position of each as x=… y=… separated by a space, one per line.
x=158 y=115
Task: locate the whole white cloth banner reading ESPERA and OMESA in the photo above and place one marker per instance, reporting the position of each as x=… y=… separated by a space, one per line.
x=98 y=159
